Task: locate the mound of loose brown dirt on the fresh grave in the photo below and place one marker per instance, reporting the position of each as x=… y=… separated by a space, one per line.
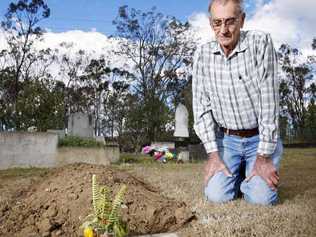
x=57 y=203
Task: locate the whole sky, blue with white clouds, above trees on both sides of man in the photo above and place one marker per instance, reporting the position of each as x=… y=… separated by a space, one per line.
x=288 y=21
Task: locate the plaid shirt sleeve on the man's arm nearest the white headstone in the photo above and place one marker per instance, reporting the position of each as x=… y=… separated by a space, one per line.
x=204 y=124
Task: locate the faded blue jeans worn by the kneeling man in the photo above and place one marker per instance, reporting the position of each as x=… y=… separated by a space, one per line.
x=234 y=150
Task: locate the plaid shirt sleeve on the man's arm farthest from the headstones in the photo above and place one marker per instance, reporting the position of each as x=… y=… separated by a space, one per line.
x=268 y=118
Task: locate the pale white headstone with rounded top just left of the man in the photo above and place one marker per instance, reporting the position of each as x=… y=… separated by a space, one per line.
x=182 y=122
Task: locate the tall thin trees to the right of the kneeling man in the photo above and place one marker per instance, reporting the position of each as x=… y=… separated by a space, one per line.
x=297 y=123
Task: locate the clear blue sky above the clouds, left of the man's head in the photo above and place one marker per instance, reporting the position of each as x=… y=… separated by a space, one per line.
x=98 y=14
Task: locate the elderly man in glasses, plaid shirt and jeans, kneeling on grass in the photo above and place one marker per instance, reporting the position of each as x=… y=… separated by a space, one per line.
x=236 y=108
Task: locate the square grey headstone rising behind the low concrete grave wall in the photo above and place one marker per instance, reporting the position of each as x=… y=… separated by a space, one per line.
x=81 y=125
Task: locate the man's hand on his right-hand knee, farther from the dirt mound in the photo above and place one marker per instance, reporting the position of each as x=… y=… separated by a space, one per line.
x=265 y=169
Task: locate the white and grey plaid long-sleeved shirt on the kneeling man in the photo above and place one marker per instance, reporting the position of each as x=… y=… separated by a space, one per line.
x=240 y=91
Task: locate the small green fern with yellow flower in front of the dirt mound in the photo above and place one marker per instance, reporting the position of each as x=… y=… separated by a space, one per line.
x=105 y=220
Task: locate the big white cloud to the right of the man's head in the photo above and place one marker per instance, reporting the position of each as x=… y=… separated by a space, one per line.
x=288 y=21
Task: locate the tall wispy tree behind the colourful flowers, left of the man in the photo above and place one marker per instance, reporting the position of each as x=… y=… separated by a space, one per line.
x=158 y=48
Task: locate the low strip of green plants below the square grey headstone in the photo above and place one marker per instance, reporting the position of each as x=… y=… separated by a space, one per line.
x=74 y=141
